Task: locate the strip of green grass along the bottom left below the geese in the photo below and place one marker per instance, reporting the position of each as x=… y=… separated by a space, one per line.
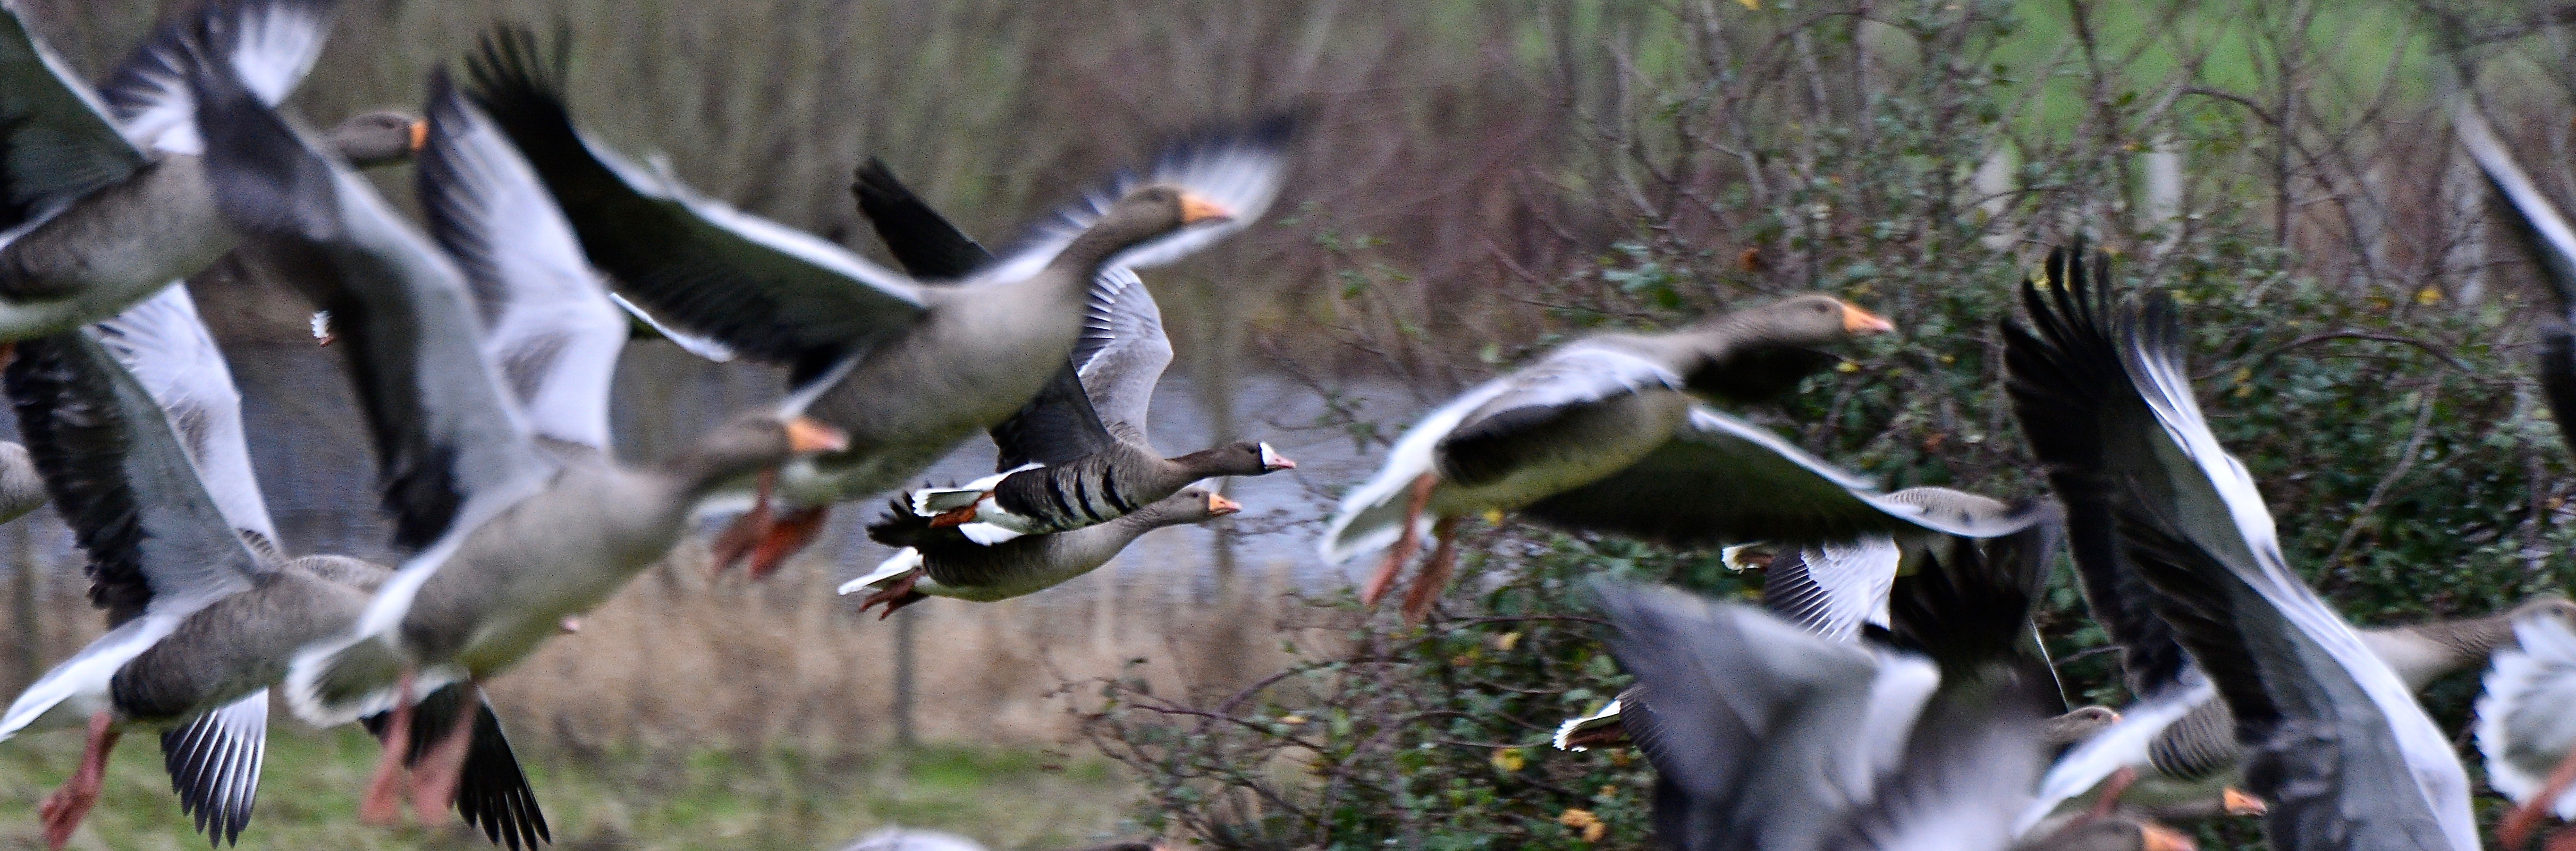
x=645 y=798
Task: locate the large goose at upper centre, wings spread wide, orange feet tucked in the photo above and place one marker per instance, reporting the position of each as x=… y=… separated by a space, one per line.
x=929 y=364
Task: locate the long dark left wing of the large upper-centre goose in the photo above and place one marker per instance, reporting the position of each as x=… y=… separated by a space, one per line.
x=751 y=284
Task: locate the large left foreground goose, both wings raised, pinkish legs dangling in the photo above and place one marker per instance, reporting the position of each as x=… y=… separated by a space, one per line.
x=516 y=510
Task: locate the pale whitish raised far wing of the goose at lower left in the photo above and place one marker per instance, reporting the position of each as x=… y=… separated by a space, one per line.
x=166 y=348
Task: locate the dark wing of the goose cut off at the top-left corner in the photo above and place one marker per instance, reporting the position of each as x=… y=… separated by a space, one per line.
x=55 y=135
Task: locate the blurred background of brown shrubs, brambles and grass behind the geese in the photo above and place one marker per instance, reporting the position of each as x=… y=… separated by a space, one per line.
x=1480 y=181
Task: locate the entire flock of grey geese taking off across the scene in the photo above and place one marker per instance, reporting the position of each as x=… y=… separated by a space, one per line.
x=1887 y=693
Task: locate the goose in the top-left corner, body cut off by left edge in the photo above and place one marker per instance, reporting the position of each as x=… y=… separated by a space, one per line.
x=102 y=194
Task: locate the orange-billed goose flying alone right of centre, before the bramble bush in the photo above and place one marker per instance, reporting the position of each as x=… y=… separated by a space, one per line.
x=1609 y=436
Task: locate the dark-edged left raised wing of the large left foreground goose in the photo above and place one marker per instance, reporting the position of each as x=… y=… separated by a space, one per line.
x=442 y=415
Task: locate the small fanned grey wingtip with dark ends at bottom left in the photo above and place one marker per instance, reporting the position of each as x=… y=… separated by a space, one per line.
x=215 y=765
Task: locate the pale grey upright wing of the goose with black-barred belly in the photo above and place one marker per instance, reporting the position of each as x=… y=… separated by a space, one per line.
x=1122 y=354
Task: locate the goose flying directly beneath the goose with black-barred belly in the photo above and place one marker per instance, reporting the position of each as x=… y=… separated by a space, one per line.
x=942 y=562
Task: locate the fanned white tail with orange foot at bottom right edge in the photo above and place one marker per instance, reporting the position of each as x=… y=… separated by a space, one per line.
x=2526 y=729
